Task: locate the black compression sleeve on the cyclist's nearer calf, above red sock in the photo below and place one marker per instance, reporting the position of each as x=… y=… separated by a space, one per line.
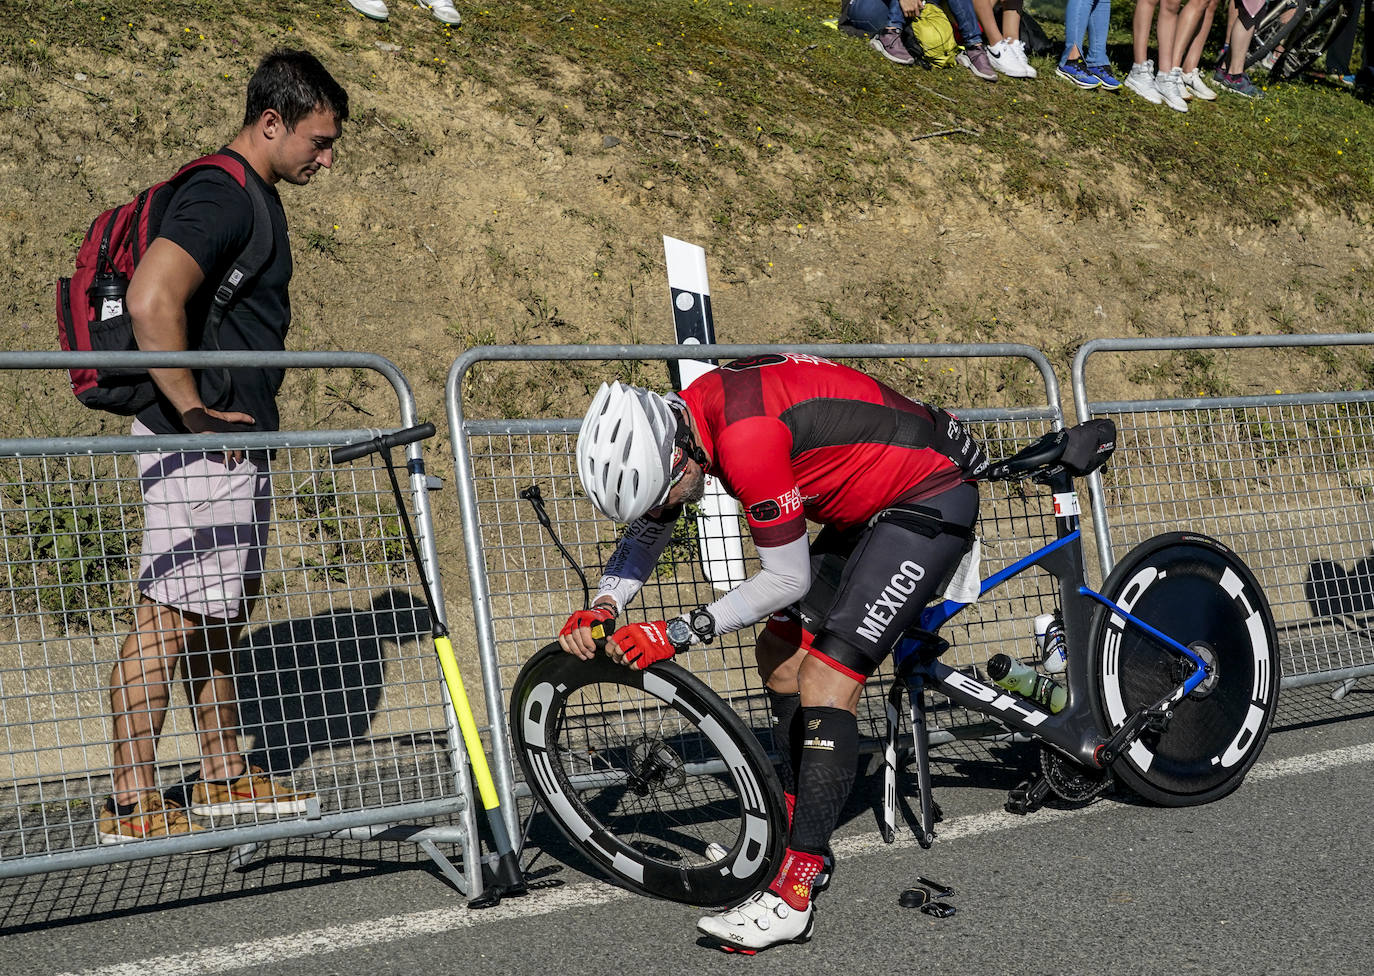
x=829 y=757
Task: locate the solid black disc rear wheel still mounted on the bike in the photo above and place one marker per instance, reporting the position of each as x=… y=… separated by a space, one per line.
x=1202 y=595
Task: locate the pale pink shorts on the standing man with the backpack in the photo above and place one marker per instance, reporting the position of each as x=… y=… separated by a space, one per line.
x=204 y=530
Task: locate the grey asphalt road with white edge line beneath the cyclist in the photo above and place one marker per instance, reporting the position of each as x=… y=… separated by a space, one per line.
x=1274 y=879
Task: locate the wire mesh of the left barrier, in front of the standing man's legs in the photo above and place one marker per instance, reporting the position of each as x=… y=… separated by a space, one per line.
x=335 y=689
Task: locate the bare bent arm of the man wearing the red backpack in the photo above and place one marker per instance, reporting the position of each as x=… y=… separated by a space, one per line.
x=163 y=285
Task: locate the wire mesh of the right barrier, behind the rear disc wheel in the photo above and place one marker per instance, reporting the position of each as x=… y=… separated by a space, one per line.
x=1288 y=486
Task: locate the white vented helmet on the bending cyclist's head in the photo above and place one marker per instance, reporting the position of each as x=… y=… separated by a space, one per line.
x=626 y=452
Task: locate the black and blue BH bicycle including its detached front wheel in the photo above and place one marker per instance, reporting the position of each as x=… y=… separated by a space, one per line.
x=1173 y=680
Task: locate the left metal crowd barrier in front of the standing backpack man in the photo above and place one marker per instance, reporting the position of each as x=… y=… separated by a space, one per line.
x=337 y=688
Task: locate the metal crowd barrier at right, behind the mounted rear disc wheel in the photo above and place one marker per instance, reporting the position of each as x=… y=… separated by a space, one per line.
x=1287 y=479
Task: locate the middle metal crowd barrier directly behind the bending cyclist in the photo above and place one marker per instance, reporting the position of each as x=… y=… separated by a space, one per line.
x=524 y=590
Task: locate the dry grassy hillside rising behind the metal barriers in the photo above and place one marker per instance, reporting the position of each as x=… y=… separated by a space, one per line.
x=752 y=120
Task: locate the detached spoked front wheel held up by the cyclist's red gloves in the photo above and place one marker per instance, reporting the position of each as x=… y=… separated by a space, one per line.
x=642 y=772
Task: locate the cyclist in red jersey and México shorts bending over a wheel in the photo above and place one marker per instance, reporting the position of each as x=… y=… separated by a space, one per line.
x=795 y=439
